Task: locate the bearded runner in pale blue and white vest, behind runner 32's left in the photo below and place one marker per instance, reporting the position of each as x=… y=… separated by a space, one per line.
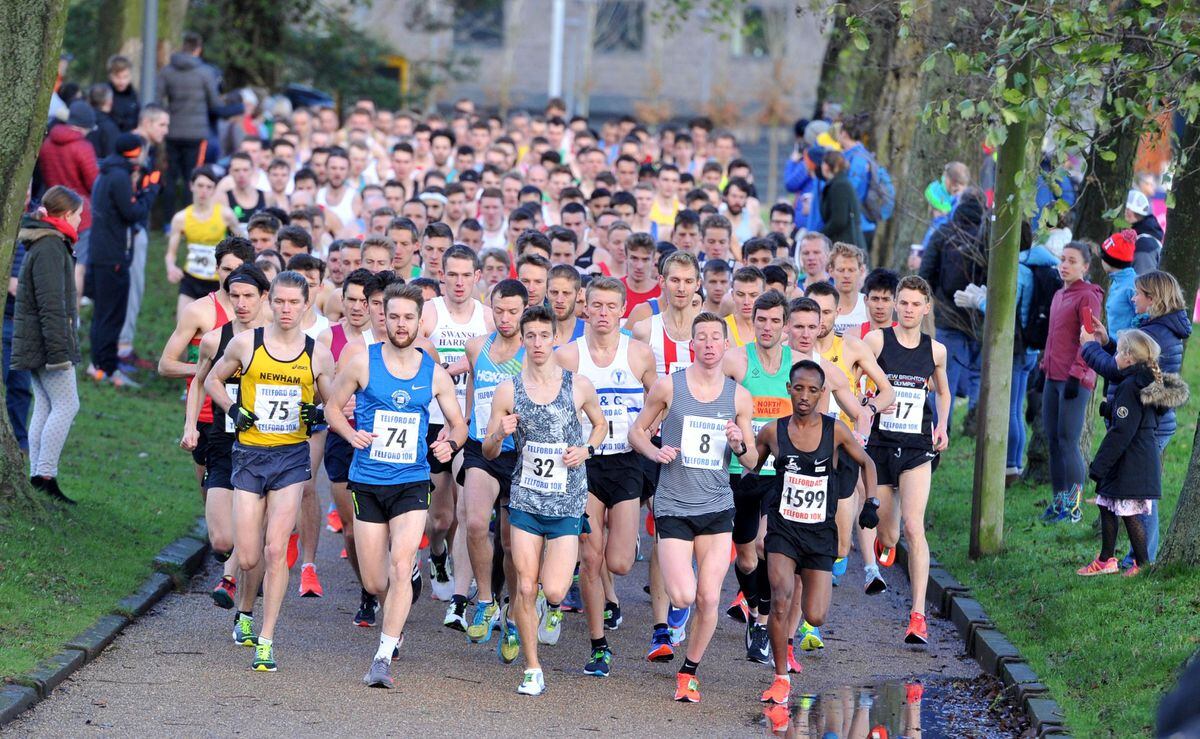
x=493 y=359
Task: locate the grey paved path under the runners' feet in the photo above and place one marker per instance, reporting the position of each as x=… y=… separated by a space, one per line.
x=177 y=674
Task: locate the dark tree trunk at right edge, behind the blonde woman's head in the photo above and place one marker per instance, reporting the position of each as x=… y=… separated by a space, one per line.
x=1181 y=251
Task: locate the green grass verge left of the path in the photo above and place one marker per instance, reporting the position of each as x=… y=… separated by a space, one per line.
x=136 y=492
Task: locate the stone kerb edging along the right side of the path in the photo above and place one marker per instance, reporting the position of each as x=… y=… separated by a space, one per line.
x=991 y=648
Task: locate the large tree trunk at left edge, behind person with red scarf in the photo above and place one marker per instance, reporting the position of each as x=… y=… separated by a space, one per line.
x=32 y=37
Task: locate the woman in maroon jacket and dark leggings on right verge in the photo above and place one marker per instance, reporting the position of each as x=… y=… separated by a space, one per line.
x=1070 y=382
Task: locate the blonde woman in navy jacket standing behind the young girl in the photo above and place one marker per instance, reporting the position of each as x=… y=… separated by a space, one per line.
x=1162 y=315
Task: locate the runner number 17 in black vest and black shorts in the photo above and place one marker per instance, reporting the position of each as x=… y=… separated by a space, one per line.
x=905 y=443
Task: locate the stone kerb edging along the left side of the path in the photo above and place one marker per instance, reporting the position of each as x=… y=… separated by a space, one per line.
x=173 y=567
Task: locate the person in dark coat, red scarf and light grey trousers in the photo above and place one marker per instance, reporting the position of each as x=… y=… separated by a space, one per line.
x=45 y=331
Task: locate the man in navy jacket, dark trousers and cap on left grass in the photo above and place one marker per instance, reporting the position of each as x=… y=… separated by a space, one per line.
x=118 y=215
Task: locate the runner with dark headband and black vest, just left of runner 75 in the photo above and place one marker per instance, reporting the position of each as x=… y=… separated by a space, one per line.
x=247 y=289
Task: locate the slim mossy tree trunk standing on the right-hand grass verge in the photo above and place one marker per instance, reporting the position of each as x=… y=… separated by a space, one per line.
x=992 y=441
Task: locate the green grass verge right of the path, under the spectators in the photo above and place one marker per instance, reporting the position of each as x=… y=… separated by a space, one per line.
x=1107 y=647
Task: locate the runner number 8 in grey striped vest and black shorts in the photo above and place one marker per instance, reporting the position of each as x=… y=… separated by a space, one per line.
x=707 y=418
